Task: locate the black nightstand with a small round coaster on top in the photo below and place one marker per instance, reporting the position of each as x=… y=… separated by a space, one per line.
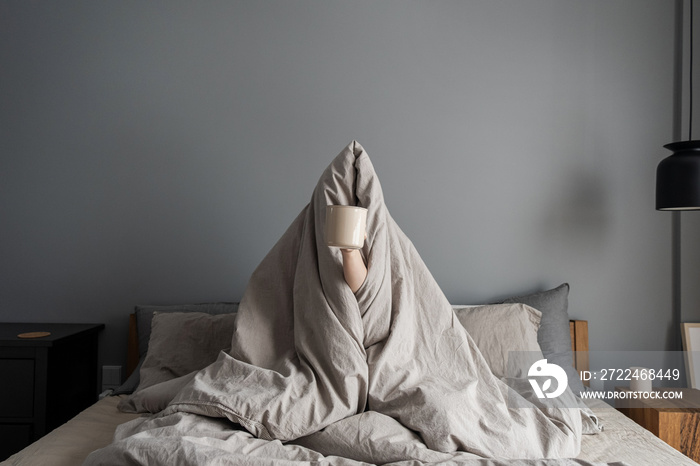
x=45 y=381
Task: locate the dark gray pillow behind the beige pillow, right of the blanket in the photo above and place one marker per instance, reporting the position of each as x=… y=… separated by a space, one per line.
x=554 y=335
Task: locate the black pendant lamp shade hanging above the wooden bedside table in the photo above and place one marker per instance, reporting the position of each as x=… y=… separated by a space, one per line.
x=678 y=177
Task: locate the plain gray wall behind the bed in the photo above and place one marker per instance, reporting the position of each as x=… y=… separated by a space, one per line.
x=153 y=152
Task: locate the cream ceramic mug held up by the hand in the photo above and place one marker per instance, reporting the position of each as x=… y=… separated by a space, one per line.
x=345 y=226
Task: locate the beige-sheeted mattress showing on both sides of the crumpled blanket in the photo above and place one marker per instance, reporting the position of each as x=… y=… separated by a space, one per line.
x=621 y=440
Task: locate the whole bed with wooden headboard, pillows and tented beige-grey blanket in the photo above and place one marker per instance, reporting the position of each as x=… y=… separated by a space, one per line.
x=306 y=371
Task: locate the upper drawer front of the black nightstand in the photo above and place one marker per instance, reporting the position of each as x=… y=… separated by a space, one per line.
x=17 y=394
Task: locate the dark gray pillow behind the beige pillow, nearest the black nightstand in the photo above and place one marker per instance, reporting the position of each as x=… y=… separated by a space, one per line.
x=144 y=315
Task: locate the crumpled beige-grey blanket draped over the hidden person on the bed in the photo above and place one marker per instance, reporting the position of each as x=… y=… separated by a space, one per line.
x=317 y=373
